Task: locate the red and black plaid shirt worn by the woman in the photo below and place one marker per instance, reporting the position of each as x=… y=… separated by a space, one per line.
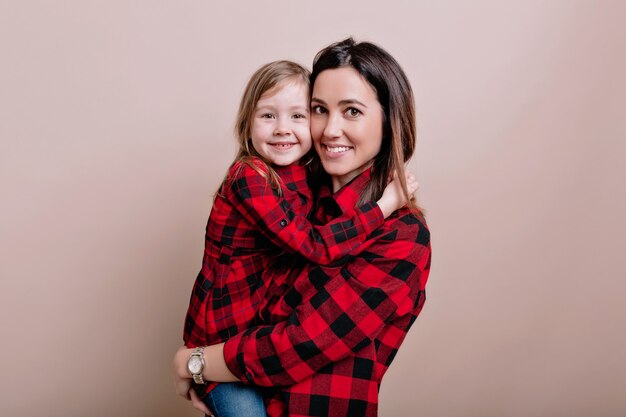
x=338 y=328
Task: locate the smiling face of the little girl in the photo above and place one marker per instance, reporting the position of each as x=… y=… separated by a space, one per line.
x=280 y=128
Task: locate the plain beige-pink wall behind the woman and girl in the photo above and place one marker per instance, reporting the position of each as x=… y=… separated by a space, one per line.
x=115 y=127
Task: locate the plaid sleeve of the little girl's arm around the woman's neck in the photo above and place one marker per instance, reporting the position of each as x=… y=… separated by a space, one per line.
x=251 y=195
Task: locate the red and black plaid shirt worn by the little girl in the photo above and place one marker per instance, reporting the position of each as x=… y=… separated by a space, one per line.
x=248 y=227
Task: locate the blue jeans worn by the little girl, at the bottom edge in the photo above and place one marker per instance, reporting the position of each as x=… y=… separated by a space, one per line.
x=234 y=399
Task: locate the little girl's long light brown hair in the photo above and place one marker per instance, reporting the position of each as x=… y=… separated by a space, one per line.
x=267 y=78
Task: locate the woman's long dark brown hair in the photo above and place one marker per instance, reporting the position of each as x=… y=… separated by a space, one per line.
x=394 y=93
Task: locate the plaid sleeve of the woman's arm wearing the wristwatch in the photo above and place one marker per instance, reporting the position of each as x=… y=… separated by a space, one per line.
x=349 y=308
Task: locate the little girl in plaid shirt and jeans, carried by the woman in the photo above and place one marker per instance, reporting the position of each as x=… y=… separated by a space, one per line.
x=259 y=212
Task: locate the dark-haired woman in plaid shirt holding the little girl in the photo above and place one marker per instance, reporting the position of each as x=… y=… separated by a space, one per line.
x=332 y=332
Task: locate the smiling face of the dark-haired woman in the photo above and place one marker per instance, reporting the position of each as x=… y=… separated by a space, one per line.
x=346 y=123
